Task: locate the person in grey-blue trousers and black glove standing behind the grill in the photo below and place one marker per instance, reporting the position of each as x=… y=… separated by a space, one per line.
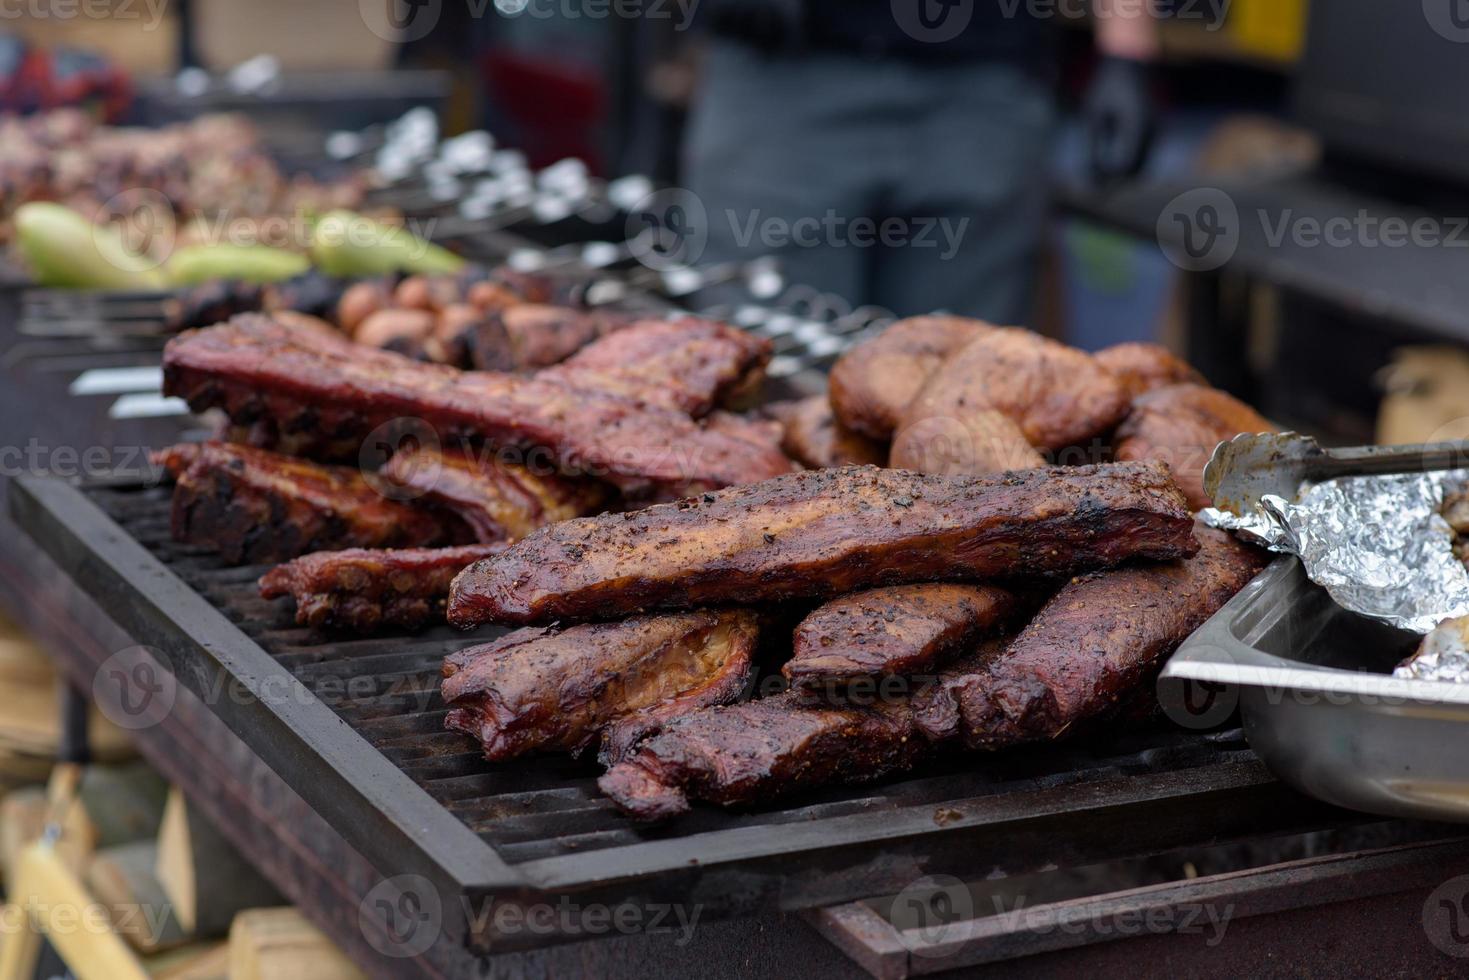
x=897 y=152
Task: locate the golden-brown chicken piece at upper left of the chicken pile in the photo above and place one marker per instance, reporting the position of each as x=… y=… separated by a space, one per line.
x=875 y=383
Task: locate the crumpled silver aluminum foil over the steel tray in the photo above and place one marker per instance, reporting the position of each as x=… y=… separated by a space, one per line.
x=1377 y=544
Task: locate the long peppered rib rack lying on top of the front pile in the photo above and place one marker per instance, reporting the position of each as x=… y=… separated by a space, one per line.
x=828 y=533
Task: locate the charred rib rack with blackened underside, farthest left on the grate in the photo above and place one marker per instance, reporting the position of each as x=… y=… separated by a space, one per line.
x=255 y=508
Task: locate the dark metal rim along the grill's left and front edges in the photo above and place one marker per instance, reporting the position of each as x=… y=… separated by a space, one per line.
x=738 y=871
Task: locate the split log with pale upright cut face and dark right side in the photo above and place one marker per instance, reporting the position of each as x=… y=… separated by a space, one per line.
x=203 y=875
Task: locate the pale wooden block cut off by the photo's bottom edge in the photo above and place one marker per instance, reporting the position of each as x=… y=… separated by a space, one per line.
x=280 y=944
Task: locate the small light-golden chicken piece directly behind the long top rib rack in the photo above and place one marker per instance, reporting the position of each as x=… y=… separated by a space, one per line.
x=976 y=444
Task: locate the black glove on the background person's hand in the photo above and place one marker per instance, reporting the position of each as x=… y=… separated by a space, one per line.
x=1122 y=118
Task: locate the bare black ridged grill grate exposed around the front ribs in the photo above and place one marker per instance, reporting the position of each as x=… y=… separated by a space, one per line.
x=387 y=690
